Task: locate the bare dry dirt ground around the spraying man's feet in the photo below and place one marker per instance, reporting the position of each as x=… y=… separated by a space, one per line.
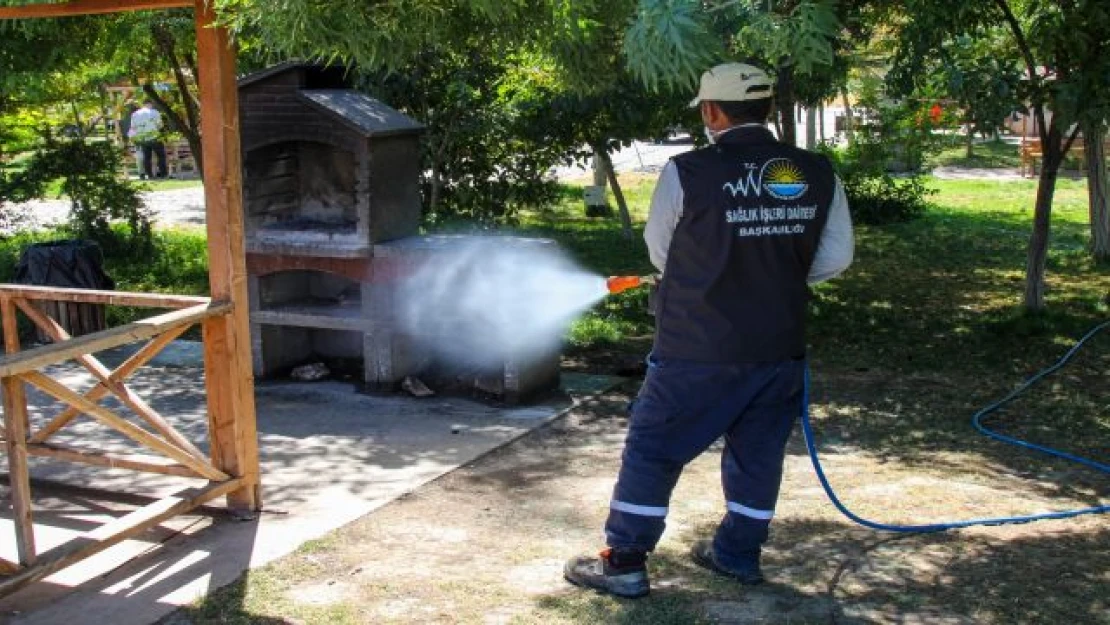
x=487 y=543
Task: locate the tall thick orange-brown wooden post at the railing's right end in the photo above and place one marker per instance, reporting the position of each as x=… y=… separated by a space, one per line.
x=228 y=370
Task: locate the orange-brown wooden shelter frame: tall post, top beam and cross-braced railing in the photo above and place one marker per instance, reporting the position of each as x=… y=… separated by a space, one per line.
x=231 y=468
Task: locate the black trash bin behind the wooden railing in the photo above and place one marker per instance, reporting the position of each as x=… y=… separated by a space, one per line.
x=72 y=265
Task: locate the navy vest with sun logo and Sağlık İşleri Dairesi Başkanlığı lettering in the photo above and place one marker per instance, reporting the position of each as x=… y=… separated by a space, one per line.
x=734 y=289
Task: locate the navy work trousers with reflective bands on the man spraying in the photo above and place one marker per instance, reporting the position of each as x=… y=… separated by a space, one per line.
x=682 y=409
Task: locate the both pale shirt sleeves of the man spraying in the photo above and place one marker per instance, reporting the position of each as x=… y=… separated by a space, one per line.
x=835 y=250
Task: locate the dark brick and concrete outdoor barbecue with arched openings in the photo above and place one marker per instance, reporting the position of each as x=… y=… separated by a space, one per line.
x=331 y=195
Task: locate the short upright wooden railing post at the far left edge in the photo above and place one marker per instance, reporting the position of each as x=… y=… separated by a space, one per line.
x=15 y=422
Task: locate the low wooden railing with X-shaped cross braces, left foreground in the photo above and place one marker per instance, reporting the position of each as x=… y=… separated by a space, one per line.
x=174 y=455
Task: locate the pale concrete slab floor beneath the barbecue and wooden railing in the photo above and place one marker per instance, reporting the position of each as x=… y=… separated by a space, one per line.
x=329 y=456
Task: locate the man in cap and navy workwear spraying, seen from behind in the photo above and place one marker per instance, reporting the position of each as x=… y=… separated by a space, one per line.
x=739 y=229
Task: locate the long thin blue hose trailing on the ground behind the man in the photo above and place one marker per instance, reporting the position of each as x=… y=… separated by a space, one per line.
x=977 y=422
